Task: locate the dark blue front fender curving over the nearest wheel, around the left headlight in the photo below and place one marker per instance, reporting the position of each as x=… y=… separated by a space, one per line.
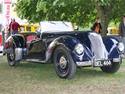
x=70 y=43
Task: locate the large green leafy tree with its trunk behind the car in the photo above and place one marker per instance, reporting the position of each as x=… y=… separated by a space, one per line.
x=81 y=12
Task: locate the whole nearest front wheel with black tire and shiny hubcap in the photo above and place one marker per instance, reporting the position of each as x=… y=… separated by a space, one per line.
x=65 y=67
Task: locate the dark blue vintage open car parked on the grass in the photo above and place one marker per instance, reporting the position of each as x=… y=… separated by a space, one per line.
x=66 y=49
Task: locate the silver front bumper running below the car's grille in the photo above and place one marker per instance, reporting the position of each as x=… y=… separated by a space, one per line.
x=94 y=62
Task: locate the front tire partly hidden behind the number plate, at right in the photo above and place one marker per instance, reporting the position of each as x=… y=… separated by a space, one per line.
x=112 y=68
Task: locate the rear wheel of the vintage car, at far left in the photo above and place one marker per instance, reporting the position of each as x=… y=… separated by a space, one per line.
x=11 y=56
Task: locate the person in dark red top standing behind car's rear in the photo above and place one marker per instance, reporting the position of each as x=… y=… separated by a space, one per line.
x=14 y=27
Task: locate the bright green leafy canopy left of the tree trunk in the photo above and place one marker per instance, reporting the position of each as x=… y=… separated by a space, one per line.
x=78 y=11
